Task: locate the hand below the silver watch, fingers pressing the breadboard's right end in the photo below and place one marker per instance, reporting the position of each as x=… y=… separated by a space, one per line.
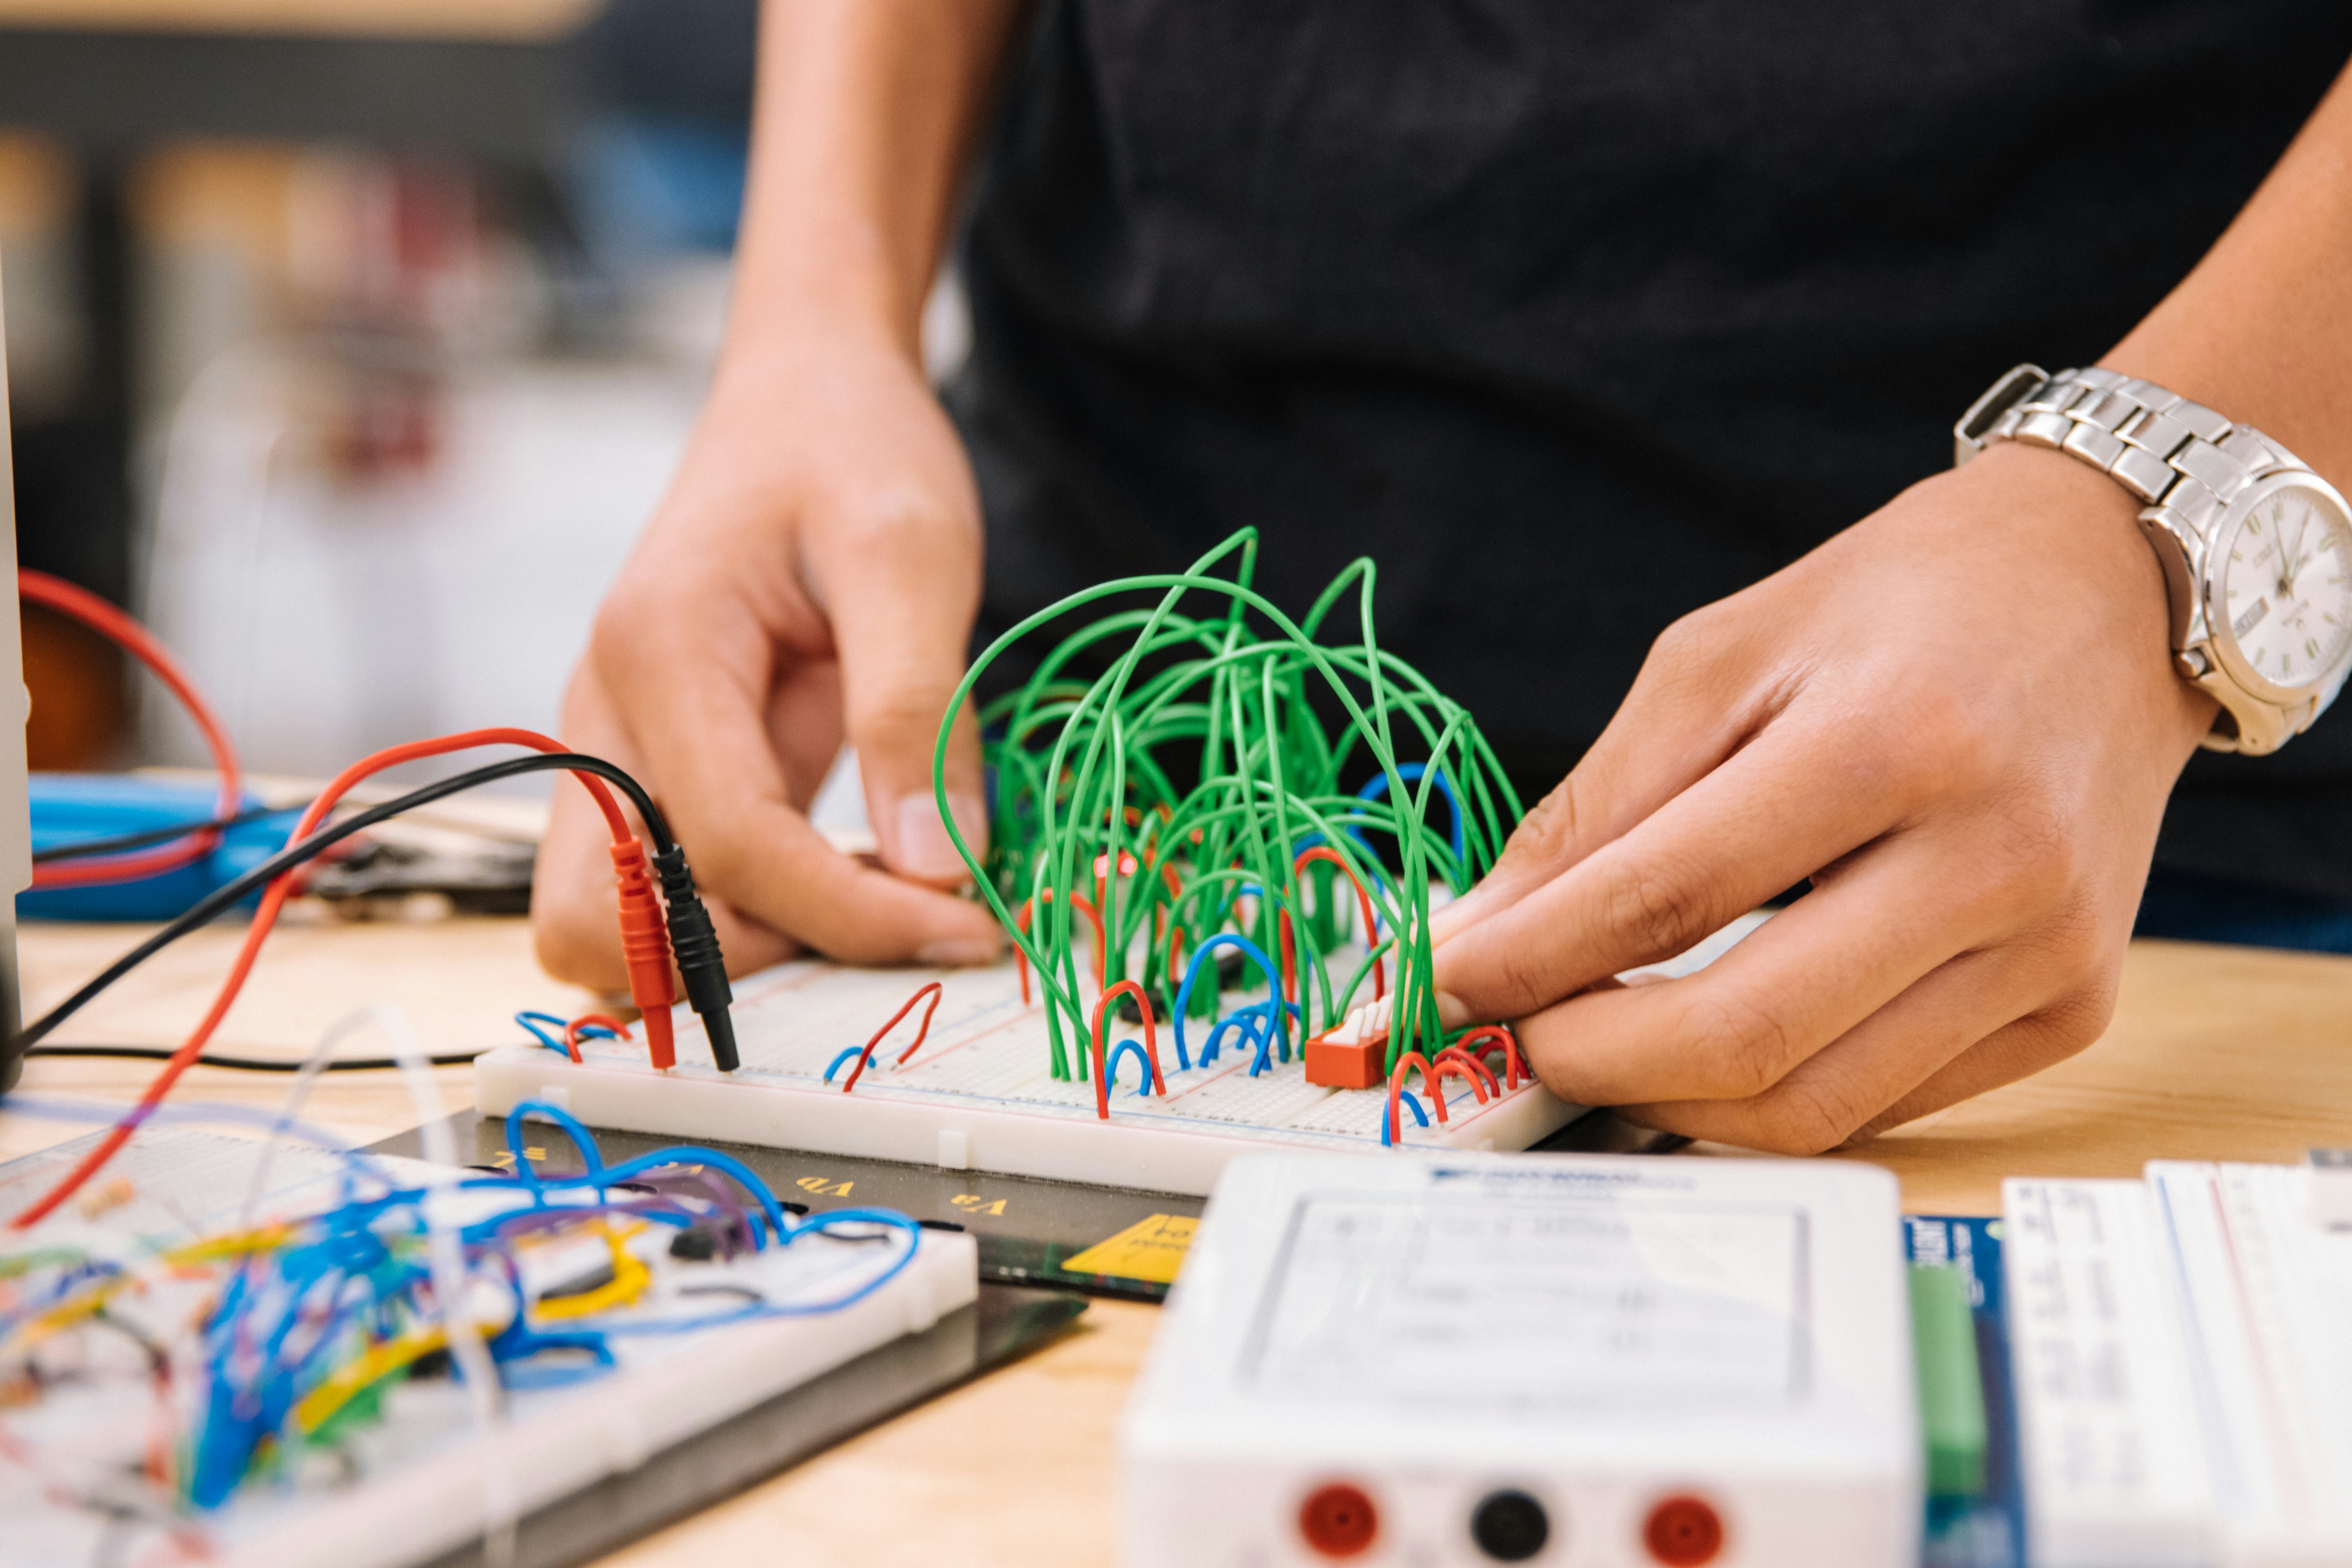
x=1960 y=721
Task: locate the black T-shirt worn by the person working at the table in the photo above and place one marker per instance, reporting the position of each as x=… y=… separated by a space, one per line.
x=1582 y=314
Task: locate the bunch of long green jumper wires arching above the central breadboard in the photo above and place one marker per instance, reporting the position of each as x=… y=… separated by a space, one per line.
x=1083 y=793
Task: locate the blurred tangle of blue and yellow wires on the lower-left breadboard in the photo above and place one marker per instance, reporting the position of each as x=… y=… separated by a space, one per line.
x=302 y=1325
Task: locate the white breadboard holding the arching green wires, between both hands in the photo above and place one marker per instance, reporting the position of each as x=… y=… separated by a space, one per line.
x=980 y=1092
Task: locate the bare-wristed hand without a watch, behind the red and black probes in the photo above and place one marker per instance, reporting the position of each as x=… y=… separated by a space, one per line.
x=813 y=577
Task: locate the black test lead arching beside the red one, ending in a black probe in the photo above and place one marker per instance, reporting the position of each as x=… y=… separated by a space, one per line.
x=693 y=939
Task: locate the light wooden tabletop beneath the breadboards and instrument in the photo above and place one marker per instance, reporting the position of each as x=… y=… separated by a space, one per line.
x=2214 y=1054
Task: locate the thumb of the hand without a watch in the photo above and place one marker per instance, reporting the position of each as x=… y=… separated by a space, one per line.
x=902 y=619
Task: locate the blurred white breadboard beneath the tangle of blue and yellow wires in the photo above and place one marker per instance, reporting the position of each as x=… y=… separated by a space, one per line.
x=425 y=1480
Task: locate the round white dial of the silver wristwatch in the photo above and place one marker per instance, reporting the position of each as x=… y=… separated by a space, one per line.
x=2287 y=587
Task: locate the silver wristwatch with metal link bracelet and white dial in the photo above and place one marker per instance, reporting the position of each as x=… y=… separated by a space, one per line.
x=2257 y=549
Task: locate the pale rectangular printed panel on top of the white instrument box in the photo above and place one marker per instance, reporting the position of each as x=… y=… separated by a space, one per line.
x=1419 y=1301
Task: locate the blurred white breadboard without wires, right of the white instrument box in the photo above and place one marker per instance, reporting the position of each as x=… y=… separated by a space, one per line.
x=2184 y=1365
